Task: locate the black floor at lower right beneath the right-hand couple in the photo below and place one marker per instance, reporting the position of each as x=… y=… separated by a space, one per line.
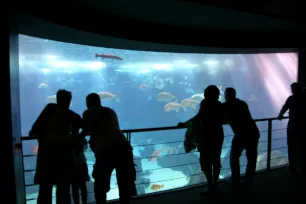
x=276 y=186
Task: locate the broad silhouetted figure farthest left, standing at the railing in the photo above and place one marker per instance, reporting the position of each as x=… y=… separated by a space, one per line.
x=56 y=129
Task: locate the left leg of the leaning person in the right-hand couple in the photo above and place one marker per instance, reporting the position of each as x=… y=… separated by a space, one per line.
x=235 y=154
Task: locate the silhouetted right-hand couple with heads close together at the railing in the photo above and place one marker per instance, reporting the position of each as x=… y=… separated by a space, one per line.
x=211 y=116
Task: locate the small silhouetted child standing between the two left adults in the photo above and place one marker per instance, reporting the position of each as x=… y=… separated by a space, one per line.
x=81 y=174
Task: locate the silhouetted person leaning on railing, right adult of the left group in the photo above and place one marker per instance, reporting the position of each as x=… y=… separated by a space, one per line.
x=112 y=151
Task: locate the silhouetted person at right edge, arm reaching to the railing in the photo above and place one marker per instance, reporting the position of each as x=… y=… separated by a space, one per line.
x=295 y=129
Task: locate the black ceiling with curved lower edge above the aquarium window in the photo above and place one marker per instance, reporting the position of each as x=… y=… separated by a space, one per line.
x=165 y=21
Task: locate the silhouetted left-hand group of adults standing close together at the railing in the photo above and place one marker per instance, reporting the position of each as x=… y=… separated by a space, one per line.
x=61 y=160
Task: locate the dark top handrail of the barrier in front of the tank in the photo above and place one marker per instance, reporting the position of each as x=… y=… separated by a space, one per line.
x=128 y=131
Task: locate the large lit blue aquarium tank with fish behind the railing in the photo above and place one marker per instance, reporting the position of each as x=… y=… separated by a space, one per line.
x=152 y=89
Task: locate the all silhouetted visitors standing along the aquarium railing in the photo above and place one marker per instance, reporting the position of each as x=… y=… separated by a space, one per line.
x=61 y=136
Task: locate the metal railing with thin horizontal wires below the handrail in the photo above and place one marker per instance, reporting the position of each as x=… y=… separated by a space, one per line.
x=272 y=150
